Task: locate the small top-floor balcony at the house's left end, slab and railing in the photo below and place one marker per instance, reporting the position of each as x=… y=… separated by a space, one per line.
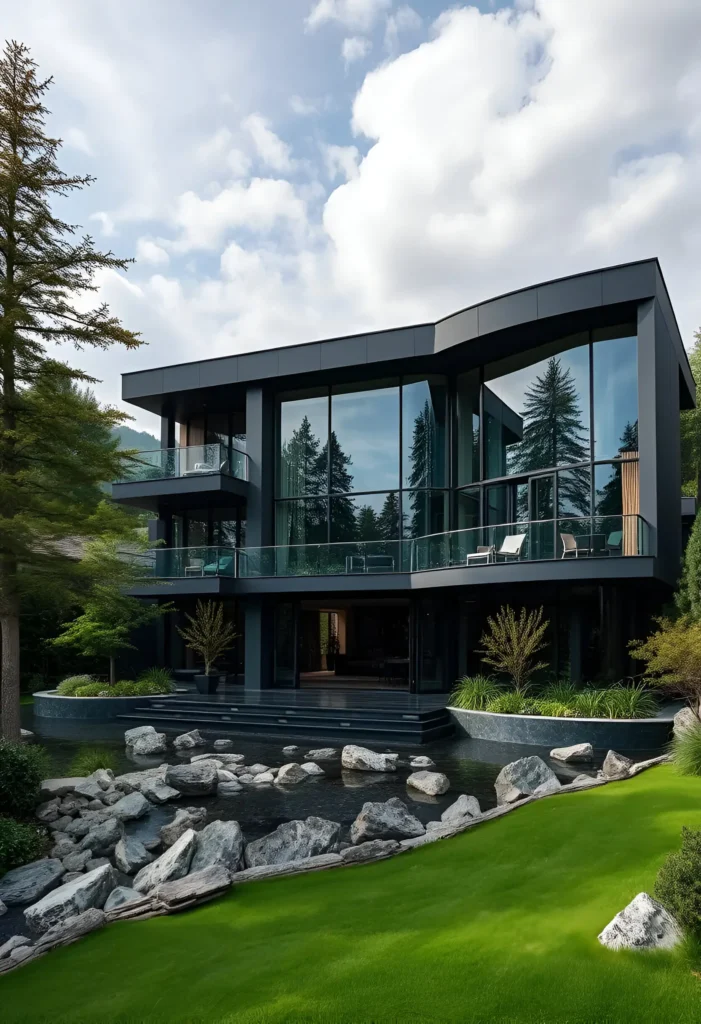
x=176 y=476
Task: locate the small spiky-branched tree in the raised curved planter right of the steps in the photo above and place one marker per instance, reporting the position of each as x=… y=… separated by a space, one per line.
x=512 y=644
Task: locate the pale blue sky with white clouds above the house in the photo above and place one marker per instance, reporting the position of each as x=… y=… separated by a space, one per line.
x=294 y=169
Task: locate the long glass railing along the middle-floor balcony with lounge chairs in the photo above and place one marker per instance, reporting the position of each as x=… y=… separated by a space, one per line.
x=593 y=537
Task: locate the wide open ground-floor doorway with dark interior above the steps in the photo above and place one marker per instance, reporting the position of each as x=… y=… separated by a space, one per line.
x=345 y=645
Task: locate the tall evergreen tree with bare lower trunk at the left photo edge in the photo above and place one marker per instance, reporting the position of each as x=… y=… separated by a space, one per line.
x=54 y=450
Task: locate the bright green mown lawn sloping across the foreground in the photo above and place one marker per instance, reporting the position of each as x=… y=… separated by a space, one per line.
x=499 y=925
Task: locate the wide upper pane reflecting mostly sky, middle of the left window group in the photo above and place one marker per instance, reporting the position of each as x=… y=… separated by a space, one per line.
x=365 y=441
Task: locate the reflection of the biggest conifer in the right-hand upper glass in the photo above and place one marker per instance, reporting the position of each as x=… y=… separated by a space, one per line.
x=554 y=434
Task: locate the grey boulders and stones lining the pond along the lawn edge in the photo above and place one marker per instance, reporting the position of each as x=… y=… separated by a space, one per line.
x=96 y=872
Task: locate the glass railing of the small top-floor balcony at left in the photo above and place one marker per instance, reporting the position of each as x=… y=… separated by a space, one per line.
x=196 y=460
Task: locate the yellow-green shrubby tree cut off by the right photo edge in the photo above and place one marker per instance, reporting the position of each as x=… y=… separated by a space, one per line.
x=673 y=656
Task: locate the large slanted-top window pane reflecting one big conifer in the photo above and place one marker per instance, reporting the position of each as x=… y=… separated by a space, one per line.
x=538 y=416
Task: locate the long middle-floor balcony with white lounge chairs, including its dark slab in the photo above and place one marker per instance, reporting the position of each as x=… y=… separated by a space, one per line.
x=595 y=547
